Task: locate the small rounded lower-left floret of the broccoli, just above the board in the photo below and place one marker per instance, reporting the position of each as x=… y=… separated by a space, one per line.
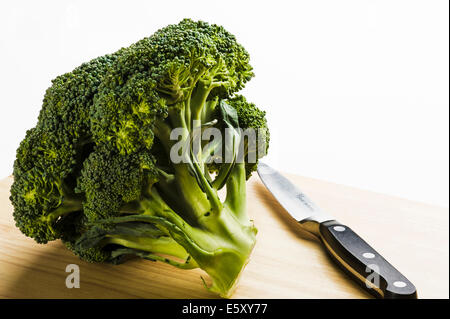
x=41 y=192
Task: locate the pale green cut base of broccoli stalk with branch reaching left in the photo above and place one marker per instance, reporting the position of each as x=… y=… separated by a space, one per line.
x=221 y=248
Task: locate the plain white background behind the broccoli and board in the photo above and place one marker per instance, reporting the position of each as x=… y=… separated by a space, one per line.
x=356 y=92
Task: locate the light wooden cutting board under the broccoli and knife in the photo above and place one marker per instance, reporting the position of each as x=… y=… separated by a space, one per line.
x=286 y=262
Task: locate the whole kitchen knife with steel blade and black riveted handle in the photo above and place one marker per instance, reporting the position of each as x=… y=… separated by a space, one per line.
x=360 y=261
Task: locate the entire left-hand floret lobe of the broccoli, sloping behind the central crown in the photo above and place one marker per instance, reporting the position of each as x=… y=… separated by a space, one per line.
x=50 y=157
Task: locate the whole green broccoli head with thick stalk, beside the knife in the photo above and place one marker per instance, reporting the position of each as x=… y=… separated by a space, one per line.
x=98 y=170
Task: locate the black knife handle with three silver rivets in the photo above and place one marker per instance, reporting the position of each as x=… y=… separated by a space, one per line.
x=364 y=264
